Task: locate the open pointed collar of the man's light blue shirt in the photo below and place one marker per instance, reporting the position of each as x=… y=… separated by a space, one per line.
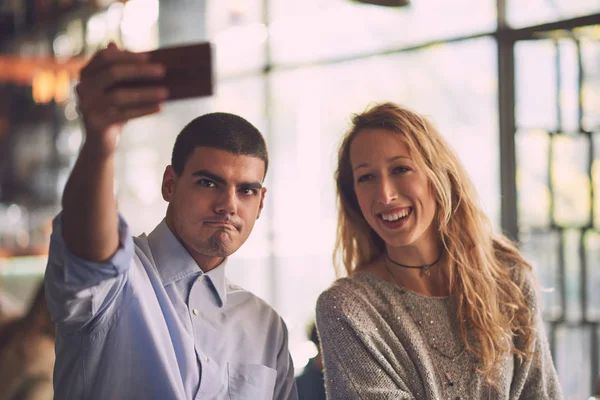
x=174 y=263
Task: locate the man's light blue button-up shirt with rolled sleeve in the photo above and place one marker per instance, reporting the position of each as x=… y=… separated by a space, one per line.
x=149 y=324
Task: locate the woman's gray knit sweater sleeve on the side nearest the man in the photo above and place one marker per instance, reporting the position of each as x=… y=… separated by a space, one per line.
x=357 y=364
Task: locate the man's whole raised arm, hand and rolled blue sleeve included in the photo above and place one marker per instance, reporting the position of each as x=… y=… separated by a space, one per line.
x=90 y=248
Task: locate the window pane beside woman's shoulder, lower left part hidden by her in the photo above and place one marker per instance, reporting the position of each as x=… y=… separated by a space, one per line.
x=542 y=250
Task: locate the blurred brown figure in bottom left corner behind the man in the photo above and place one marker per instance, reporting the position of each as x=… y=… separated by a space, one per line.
x=27 y=354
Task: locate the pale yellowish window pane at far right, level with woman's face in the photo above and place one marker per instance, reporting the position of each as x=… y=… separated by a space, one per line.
x=571 y=180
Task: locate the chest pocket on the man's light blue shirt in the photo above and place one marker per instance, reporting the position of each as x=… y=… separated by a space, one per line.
x=251 y=381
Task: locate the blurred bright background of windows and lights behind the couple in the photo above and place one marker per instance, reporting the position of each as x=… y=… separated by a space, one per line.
x=514 y=85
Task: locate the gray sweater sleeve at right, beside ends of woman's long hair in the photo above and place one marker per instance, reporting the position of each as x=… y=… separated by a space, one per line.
x=536 y=378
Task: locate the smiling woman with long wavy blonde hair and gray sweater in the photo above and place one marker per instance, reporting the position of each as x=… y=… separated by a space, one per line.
x=434 y=306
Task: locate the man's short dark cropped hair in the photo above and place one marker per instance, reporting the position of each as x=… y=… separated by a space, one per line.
x=221 y=131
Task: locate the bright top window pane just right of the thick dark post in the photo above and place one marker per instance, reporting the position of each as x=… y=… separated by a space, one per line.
x=535 y=85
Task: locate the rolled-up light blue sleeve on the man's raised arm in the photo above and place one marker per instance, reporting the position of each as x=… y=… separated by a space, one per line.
x=80 y=293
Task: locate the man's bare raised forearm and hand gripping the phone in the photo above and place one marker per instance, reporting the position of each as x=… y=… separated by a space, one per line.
x=90 y=223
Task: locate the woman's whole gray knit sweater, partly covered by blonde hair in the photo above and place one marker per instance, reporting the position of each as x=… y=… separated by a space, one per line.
x=383 y=342
